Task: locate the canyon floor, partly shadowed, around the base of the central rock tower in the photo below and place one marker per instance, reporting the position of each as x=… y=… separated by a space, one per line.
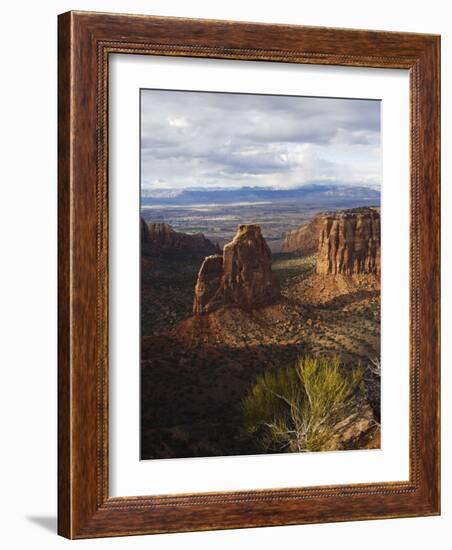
x=195 y=370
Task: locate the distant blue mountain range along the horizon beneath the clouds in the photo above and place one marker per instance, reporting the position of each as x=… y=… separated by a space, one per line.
x=323 y=194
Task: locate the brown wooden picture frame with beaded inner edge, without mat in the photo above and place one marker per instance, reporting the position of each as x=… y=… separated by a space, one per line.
x=85 y=41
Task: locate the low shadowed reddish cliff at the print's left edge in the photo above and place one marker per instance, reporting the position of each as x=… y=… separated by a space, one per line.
x=162 y=236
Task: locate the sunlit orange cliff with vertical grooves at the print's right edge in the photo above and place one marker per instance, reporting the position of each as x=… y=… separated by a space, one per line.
x=349 y=243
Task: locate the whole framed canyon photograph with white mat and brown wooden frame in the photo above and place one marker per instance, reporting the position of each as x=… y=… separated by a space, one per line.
x=248 y=275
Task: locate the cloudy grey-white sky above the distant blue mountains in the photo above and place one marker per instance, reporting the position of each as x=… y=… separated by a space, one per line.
x=202 y=139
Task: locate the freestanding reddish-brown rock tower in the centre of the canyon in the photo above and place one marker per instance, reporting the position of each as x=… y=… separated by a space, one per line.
x=245 y=279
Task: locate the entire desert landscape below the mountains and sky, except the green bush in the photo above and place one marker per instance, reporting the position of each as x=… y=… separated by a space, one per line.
x=235 y=294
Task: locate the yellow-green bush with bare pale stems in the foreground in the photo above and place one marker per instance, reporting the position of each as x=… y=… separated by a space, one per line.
x=296 y=409
